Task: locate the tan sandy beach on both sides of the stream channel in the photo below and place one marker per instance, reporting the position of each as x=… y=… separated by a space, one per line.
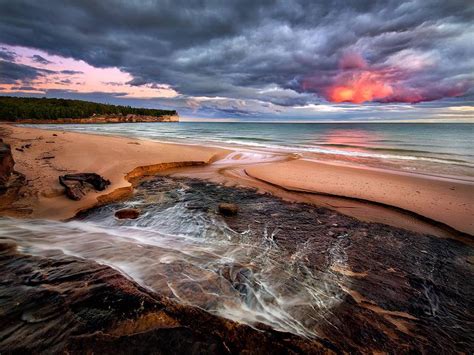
x=54 y=153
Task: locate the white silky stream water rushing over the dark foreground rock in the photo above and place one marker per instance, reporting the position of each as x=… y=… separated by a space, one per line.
x=182 y=249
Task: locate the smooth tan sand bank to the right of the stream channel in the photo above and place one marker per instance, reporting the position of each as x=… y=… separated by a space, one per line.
x=442 y=200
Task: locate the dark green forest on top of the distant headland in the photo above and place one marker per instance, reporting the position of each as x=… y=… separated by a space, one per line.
x=16 y=108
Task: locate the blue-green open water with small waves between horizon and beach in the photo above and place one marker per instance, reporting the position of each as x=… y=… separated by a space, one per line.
x=436 y=148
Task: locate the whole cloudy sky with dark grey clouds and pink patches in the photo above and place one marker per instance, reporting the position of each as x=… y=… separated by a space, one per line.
x=248 y=60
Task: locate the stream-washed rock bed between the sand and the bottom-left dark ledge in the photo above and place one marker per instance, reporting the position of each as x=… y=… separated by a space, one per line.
x=292 y=267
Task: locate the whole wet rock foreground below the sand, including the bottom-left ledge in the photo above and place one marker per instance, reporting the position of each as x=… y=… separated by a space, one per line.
x=343 y=285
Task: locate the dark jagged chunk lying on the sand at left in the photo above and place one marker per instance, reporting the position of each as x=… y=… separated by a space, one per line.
x=75 y=184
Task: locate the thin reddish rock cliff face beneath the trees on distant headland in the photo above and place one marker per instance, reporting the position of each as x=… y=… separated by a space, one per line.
x=107 y=119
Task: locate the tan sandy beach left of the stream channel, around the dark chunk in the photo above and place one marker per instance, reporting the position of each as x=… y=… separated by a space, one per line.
x=55 y=153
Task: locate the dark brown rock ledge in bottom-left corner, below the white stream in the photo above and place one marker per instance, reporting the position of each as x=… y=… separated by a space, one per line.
x=63 y=304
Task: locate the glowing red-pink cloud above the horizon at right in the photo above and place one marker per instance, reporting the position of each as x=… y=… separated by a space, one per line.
x=357 y=82
